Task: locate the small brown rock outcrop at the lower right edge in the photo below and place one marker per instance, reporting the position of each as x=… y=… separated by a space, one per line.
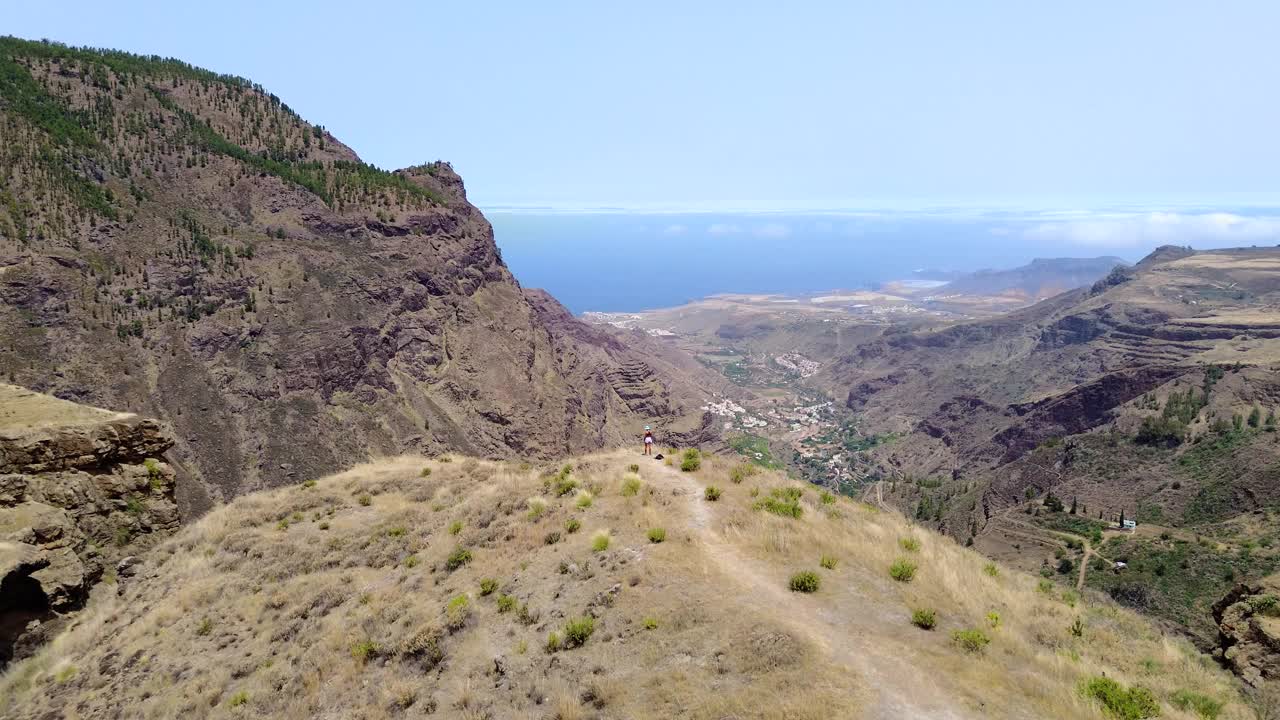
x=1249 y=622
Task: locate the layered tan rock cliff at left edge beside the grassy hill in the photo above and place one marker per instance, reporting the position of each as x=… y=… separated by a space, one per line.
x=80 y=489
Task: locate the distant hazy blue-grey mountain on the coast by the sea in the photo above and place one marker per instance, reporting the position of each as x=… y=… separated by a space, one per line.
x=1043 y=277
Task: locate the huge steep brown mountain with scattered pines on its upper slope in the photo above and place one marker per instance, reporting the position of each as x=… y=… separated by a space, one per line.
x=184 y=245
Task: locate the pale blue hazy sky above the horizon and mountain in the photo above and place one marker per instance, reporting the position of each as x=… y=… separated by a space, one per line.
x=756 y=104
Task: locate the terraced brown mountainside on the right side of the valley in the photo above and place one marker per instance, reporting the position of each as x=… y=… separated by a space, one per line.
x=1151 y=395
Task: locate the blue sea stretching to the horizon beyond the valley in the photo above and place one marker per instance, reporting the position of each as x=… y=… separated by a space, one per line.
x=618 y=261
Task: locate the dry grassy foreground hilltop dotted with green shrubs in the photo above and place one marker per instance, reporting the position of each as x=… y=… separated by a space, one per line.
x=612 y=587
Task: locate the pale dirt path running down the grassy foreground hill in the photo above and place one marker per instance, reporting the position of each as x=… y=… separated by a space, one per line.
x=849 y=636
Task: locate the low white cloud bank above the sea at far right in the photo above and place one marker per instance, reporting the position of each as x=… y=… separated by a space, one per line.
x=1160 y=229
